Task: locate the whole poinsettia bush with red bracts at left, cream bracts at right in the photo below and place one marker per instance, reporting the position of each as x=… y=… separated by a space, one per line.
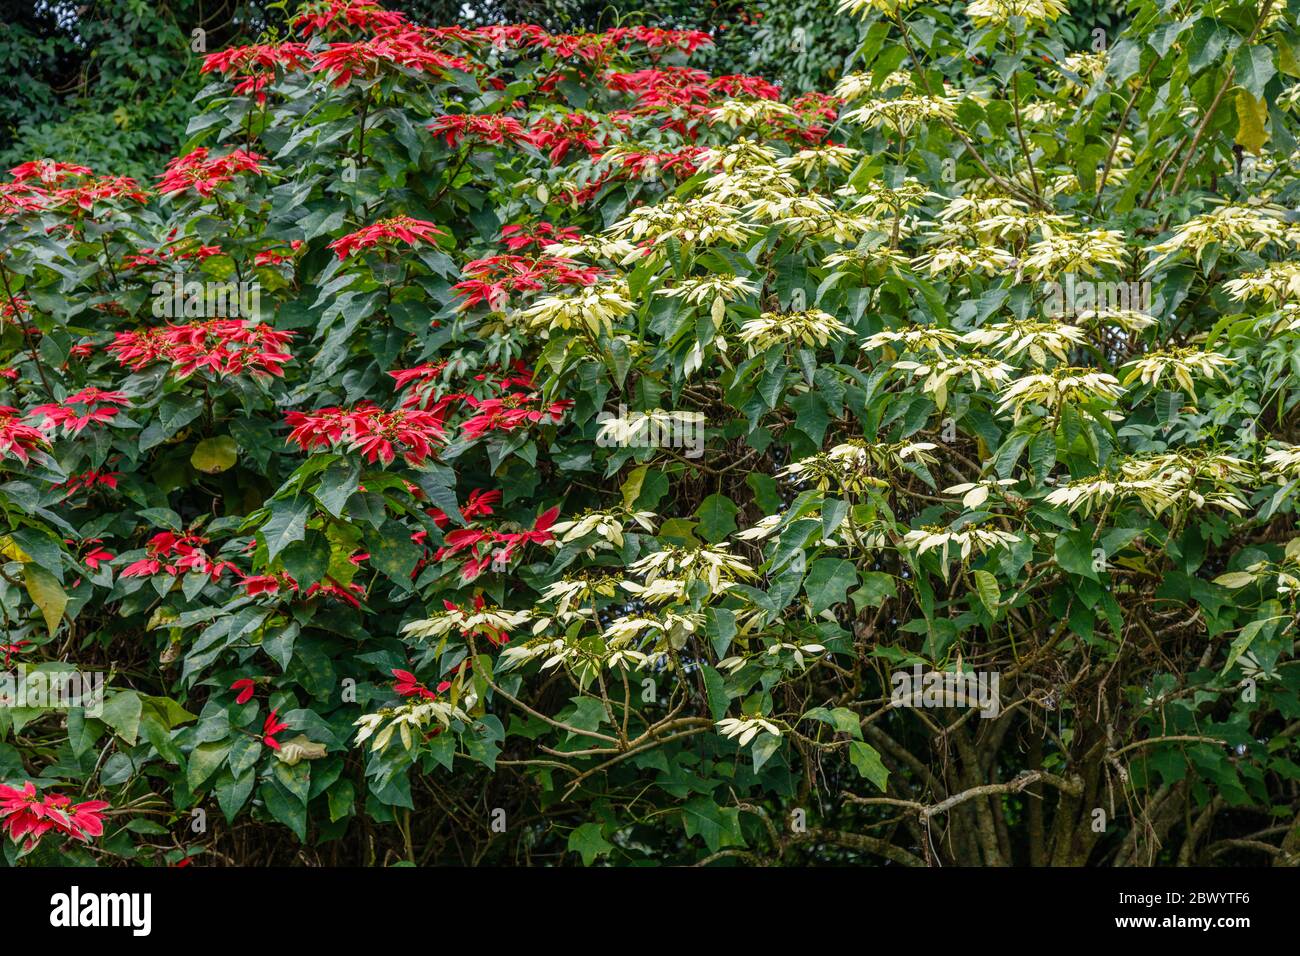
x=500 y=447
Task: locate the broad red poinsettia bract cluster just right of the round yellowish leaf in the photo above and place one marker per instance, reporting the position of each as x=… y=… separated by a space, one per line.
x=378 y=434
